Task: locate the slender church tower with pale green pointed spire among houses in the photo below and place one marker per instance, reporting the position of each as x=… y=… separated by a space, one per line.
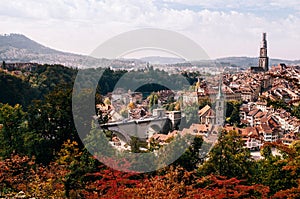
x=220 y=106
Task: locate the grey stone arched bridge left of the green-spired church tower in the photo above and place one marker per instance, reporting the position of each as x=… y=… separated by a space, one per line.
x=140 y=128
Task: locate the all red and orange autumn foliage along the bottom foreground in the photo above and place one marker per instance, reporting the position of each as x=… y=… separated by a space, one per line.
x=23 y=174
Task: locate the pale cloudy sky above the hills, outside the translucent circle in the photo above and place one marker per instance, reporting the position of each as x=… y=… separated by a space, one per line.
x=221 y=27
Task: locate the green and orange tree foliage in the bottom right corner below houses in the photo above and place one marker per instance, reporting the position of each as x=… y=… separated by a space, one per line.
x=279 y=172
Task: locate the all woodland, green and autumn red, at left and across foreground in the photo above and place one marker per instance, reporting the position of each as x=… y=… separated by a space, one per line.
x=43 y=156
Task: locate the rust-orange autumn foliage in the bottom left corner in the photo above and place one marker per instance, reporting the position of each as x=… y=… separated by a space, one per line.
x=19 y=173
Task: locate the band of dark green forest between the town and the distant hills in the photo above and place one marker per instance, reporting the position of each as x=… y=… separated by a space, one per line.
x=23 y=89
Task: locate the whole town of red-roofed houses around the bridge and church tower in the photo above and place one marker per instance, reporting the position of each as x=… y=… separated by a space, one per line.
x=261 y=123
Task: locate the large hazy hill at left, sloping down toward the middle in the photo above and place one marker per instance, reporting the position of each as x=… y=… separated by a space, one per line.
x=19 y=48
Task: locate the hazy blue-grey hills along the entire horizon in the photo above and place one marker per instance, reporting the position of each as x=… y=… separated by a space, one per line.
x=19 y=48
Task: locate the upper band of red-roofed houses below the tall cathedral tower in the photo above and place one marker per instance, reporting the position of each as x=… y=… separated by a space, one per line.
x=281 y=82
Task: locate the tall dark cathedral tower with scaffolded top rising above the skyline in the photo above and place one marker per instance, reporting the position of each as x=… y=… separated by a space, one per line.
x=263 y=62
